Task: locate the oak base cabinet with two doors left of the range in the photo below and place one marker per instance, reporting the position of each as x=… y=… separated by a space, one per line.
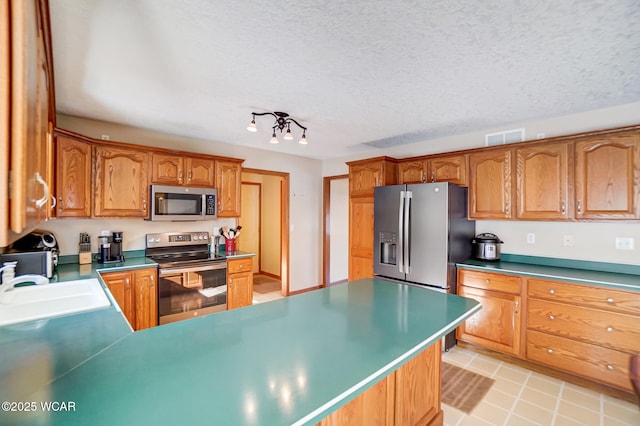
x=136 y=293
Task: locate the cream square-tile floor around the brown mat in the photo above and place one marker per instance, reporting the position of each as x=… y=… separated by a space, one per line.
x=521 y=397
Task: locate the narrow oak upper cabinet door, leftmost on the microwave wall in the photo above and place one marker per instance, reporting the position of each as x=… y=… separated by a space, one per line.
x=73 y=178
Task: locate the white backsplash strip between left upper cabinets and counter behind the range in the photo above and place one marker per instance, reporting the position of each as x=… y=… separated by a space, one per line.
x=67 y=231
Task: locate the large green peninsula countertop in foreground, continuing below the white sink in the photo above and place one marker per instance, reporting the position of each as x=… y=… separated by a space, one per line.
x=289 y=361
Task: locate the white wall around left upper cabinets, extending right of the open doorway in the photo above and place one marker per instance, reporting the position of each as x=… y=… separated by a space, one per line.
x=305 y=195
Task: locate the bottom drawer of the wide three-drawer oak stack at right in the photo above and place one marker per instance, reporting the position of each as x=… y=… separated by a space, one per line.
x=593 y=362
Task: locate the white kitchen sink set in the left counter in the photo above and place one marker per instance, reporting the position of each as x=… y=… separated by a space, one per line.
x=34 y=302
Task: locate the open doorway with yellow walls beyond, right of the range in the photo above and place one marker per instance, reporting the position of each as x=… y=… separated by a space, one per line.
x=265 y=230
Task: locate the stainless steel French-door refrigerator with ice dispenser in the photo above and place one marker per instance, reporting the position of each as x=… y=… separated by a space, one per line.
x=420 y=232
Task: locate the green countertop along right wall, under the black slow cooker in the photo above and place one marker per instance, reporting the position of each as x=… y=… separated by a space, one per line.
x=580 y=272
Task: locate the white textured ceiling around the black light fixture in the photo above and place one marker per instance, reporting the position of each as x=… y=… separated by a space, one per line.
x=357 y=74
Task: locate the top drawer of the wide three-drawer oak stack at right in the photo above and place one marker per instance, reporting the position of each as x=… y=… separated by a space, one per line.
x=596 y=297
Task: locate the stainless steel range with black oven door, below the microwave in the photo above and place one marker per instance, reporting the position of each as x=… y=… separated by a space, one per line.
x=191 y=280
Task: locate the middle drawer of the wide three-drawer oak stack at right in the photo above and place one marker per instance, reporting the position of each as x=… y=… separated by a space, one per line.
x=609 y=329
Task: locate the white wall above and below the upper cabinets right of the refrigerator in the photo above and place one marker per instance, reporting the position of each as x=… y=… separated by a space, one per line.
x=592 y=240
